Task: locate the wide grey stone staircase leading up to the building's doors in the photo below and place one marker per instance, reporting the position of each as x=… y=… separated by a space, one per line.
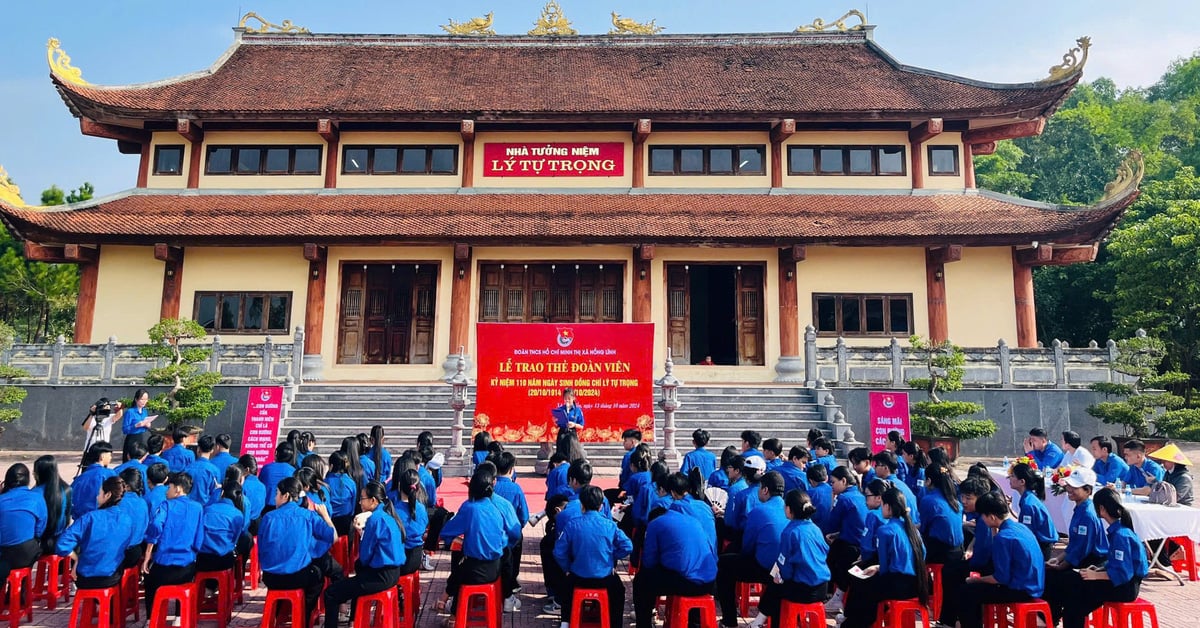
x=335 y=411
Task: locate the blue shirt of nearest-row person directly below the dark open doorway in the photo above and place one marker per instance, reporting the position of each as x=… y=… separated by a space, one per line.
x=670 y=543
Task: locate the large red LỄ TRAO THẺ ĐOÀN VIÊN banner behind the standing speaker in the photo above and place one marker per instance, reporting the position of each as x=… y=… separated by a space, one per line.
x=524 y=369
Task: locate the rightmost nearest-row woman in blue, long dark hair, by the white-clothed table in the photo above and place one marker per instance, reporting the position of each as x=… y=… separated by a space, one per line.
x=1120 y=579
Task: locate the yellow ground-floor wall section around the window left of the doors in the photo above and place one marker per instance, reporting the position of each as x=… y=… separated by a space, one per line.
x=247 y=270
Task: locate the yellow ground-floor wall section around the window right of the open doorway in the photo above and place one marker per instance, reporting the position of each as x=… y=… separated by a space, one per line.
x=863 y=271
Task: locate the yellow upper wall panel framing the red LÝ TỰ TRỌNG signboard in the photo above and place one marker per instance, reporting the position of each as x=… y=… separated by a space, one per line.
x=626 y=181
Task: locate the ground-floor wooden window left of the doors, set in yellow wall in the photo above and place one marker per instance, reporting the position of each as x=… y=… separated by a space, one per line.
x=244 y=313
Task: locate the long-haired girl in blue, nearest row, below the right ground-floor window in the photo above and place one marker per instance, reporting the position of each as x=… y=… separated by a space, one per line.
x=901 y=573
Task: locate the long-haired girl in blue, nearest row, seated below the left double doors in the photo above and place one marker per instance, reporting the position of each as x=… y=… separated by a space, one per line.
x=381 y=554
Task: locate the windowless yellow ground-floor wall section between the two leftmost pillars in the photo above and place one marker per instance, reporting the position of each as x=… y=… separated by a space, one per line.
x=129 y=294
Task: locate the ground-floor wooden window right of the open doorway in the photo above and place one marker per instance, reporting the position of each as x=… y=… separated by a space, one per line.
x=862 y=315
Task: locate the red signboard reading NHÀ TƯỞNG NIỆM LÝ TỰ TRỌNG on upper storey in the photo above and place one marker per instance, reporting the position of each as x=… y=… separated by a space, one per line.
x=554 y=159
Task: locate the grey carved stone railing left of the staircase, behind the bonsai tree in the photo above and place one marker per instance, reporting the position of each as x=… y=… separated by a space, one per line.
x=122 y=364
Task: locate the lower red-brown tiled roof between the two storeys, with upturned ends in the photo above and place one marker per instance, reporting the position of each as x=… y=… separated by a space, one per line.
x=922 y=218
